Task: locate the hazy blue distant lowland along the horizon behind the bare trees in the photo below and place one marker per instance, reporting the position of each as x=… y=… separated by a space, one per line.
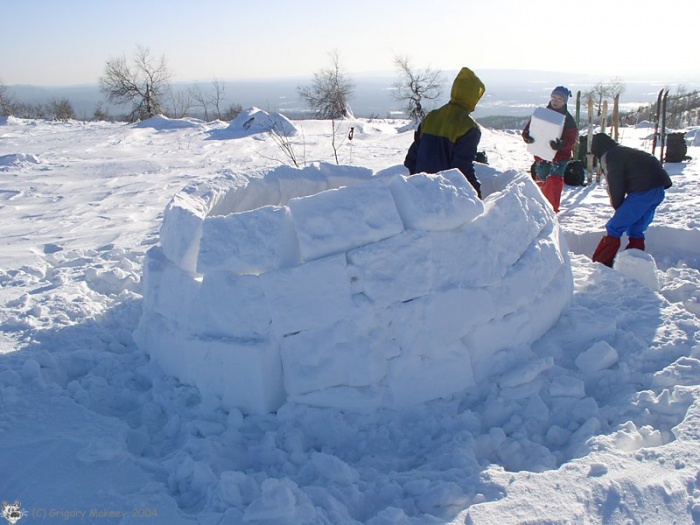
x=509 y=93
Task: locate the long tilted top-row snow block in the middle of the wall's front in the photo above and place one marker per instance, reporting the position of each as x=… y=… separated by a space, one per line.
x=338 y=220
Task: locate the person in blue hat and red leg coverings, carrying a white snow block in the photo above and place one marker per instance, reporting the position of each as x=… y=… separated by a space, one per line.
x=549 y=175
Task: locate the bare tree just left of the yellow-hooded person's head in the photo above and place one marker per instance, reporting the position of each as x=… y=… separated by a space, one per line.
x=415 y=86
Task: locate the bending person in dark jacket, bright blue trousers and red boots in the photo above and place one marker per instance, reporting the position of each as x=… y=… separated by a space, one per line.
x=636 y=184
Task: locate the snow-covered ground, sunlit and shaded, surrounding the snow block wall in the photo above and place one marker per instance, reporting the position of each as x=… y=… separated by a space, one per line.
x=597 y=421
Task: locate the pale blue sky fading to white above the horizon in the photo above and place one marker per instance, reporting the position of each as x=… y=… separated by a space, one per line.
x=67 y=42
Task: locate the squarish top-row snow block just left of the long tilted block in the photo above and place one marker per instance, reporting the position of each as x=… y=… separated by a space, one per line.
x=251 y=242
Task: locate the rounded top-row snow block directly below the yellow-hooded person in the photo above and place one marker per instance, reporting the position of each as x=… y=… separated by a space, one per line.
x=442 y=201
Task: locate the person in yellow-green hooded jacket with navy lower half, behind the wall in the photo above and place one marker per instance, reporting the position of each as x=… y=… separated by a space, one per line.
x=448 y=136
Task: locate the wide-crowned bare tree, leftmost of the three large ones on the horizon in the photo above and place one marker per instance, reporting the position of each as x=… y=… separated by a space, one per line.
x=144 y=84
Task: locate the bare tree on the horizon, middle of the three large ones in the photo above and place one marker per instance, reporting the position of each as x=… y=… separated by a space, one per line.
x=329 y=93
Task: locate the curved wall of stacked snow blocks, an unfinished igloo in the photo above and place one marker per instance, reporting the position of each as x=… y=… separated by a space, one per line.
x=335 y=286
